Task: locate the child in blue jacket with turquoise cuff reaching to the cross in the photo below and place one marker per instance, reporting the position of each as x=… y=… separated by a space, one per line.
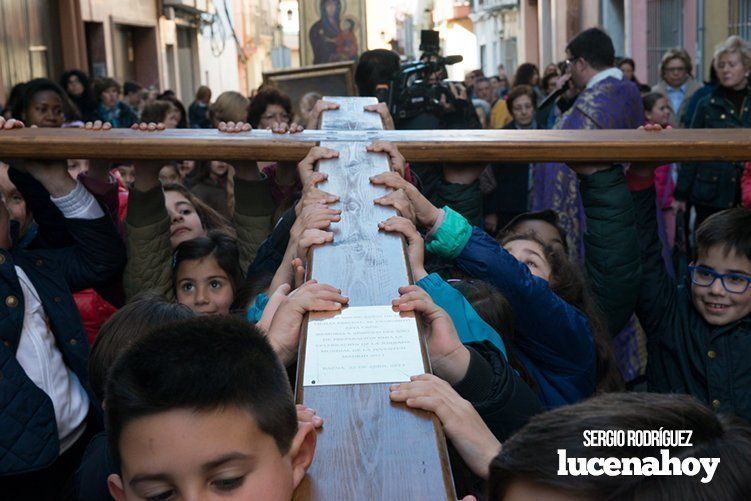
x=554 y=319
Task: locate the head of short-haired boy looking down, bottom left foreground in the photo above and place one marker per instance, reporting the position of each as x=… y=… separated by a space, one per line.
x=204 y=407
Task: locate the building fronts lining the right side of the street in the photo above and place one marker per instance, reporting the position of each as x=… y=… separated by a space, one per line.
x=513 y=31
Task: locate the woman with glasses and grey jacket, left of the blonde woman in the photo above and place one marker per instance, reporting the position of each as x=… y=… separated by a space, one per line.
x=677 y=84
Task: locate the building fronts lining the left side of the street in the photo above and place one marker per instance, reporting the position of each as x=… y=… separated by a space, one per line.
x=164 y=44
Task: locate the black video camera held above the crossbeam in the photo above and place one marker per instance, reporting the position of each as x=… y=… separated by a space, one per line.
x=418 y=88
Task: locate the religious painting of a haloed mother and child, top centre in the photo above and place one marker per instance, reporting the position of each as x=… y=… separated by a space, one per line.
x=331 y=31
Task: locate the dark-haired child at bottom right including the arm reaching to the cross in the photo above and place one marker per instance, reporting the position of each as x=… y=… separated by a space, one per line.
x=563 y=455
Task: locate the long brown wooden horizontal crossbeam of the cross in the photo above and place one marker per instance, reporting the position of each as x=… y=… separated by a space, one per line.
x=416 y=146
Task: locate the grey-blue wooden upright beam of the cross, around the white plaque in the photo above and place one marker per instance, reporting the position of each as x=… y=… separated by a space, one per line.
x=369 y=448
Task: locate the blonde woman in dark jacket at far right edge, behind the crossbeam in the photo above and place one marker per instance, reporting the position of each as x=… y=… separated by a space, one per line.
x=712 y=187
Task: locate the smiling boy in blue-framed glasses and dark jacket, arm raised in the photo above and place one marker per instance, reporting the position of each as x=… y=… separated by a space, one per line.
x=699 y=331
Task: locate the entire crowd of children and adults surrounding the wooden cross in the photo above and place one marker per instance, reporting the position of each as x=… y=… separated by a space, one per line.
x=153 y=309
